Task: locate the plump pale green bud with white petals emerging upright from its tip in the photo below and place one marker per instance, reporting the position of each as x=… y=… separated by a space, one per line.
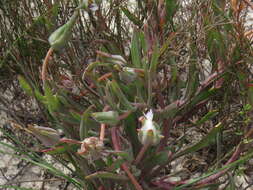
x=149 y=133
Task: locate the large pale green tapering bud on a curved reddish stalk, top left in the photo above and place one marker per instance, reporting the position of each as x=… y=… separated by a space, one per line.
x=60 y=37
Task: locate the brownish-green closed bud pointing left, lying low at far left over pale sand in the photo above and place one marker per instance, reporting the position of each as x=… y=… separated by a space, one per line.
x=48 y=136
